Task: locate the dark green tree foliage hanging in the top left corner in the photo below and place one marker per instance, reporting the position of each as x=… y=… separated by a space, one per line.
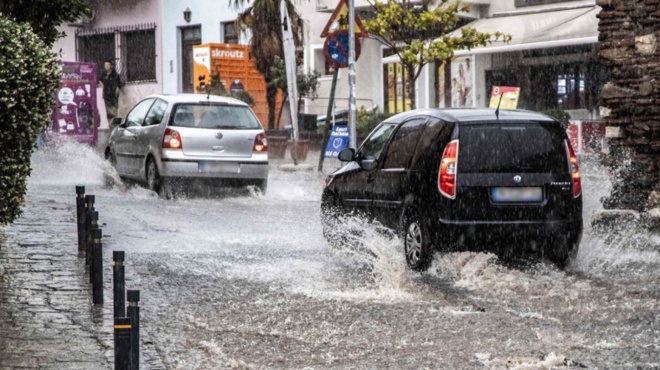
x=45 y=15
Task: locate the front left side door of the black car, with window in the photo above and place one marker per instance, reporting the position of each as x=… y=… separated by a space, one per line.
x=356 y=189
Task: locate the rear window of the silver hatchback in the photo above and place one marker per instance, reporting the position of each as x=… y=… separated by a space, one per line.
x=214 y=116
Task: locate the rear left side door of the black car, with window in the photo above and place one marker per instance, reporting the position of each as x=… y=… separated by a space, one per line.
x=390 y=181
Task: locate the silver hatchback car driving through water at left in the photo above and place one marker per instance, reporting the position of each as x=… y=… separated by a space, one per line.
x=166 y=140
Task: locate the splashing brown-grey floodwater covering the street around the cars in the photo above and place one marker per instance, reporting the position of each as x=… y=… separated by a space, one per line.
x=249 y=282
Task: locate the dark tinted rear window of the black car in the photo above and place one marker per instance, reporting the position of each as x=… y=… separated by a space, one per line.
x=512 y=147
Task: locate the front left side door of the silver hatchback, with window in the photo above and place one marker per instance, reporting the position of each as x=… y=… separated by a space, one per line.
x=127 y=144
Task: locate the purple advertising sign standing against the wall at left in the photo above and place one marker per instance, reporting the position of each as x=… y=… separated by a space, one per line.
x=76 y=115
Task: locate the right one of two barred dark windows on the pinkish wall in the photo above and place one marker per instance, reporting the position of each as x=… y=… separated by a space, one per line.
x=139 y=55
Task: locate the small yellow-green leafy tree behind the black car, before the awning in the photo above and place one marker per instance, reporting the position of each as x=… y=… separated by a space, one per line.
x=420 y=33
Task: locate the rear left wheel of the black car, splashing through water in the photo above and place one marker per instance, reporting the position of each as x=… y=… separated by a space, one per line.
x=417 y=246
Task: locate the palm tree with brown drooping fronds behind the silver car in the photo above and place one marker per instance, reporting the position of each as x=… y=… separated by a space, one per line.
x=263 y=21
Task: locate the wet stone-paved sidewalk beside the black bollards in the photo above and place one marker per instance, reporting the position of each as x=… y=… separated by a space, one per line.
x=47 y=319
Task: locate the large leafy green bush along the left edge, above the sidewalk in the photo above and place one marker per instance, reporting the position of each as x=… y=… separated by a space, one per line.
x=29 y=76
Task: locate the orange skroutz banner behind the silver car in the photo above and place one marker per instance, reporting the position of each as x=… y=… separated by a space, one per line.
x=237 y=72
